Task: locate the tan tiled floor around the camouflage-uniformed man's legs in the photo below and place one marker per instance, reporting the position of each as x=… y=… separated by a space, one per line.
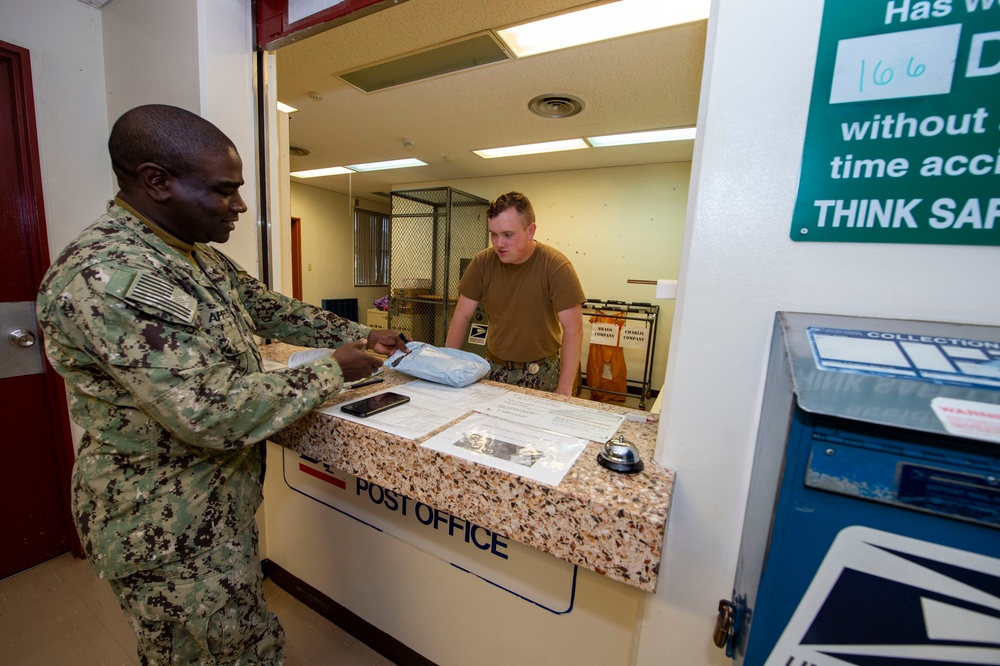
x=60 y=613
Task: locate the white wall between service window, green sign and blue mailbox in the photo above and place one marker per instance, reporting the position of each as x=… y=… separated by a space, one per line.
x=739 y=267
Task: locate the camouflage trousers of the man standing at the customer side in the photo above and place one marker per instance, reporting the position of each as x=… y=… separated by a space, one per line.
x=208 y=610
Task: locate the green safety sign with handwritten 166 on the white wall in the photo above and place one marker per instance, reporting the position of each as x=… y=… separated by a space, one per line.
x=903 y=137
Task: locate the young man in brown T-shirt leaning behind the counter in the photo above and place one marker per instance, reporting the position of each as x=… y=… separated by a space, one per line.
x=532 y=297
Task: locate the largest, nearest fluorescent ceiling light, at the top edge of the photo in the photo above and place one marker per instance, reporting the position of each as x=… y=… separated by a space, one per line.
x=594 y=24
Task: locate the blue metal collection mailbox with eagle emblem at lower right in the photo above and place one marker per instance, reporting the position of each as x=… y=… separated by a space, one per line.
x=872 y=531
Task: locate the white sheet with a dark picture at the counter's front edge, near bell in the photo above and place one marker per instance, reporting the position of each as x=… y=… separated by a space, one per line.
x=510 y=446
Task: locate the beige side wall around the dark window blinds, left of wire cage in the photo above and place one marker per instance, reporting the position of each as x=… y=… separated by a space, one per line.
x=327 y=230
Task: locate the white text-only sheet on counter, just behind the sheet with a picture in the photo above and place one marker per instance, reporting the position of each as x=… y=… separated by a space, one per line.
x=560 y=417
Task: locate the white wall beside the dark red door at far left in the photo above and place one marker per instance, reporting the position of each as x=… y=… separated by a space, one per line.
x=67 y=67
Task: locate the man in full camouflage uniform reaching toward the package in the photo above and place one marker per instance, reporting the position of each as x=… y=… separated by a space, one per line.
x=153 y=331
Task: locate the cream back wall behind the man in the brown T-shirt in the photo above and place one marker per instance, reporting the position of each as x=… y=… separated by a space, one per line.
x=614 y=224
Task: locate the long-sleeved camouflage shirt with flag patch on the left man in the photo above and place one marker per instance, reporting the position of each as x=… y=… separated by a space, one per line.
x=164 y=375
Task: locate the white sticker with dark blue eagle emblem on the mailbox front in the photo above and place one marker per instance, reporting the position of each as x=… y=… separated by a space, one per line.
x=881 y=599
